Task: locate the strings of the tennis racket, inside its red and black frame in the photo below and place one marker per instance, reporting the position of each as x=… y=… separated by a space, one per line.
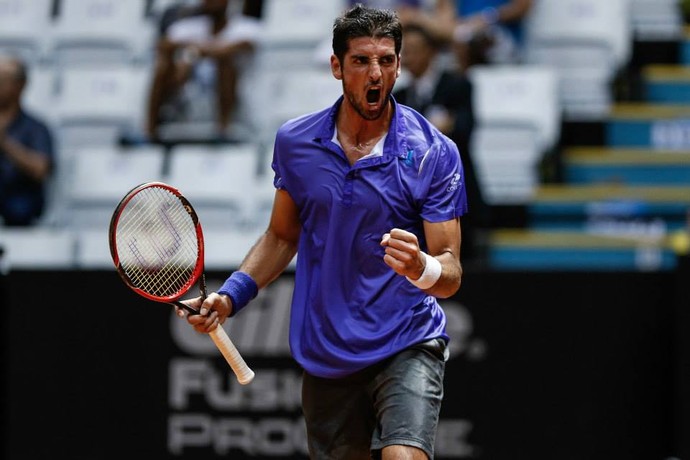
x=157 y=243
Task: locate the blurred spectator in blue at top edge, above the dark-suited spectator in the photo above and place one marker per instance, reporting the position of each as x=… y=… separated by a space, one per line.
x=480 y=31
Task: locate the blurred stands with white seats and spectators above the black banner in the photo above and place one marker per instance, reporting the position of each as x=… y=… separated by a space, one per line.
x=571 y=118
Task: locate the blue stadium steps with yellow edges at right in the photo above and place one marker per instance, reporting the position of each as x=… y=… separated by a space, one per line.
x=622 y=201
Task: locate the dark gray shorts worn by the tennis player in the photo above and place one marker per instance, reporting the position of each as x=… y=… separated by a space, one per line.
x=396 y=402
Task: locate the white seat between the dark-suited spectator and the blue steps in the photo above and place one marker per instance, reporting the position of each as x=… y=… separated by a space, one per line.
x=518 y=115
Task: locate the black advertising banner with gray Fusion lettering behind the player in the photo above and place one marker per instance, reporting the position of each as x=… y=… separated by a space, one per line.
x=543 y=366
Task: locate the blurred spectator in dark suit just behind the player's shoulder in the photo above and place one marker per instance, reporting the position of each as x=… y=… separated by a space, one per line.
x=444 y=97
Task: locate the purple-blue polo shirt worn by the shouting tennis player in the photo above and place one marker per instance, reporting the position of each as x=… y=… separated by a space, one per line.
x=349 y=309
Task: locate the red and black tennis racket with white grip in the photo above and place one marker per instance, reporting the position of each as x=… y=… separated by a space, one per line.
x=157 y=245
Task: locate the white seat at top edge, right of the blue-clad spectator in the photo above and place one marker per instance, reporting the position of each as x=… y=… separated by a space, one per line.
x=588 y=42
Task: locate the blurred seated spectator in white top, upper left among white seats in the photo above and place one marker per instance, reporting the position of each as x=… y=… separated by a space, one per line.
x=202 y=46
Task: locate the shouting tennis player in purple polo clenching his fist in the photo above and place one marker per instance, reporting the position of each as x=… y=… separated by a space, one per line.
x=369 y=196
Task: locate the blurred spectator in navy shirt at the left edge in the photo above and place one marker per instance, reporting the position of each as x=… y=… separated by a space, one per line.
x=26 y=150
